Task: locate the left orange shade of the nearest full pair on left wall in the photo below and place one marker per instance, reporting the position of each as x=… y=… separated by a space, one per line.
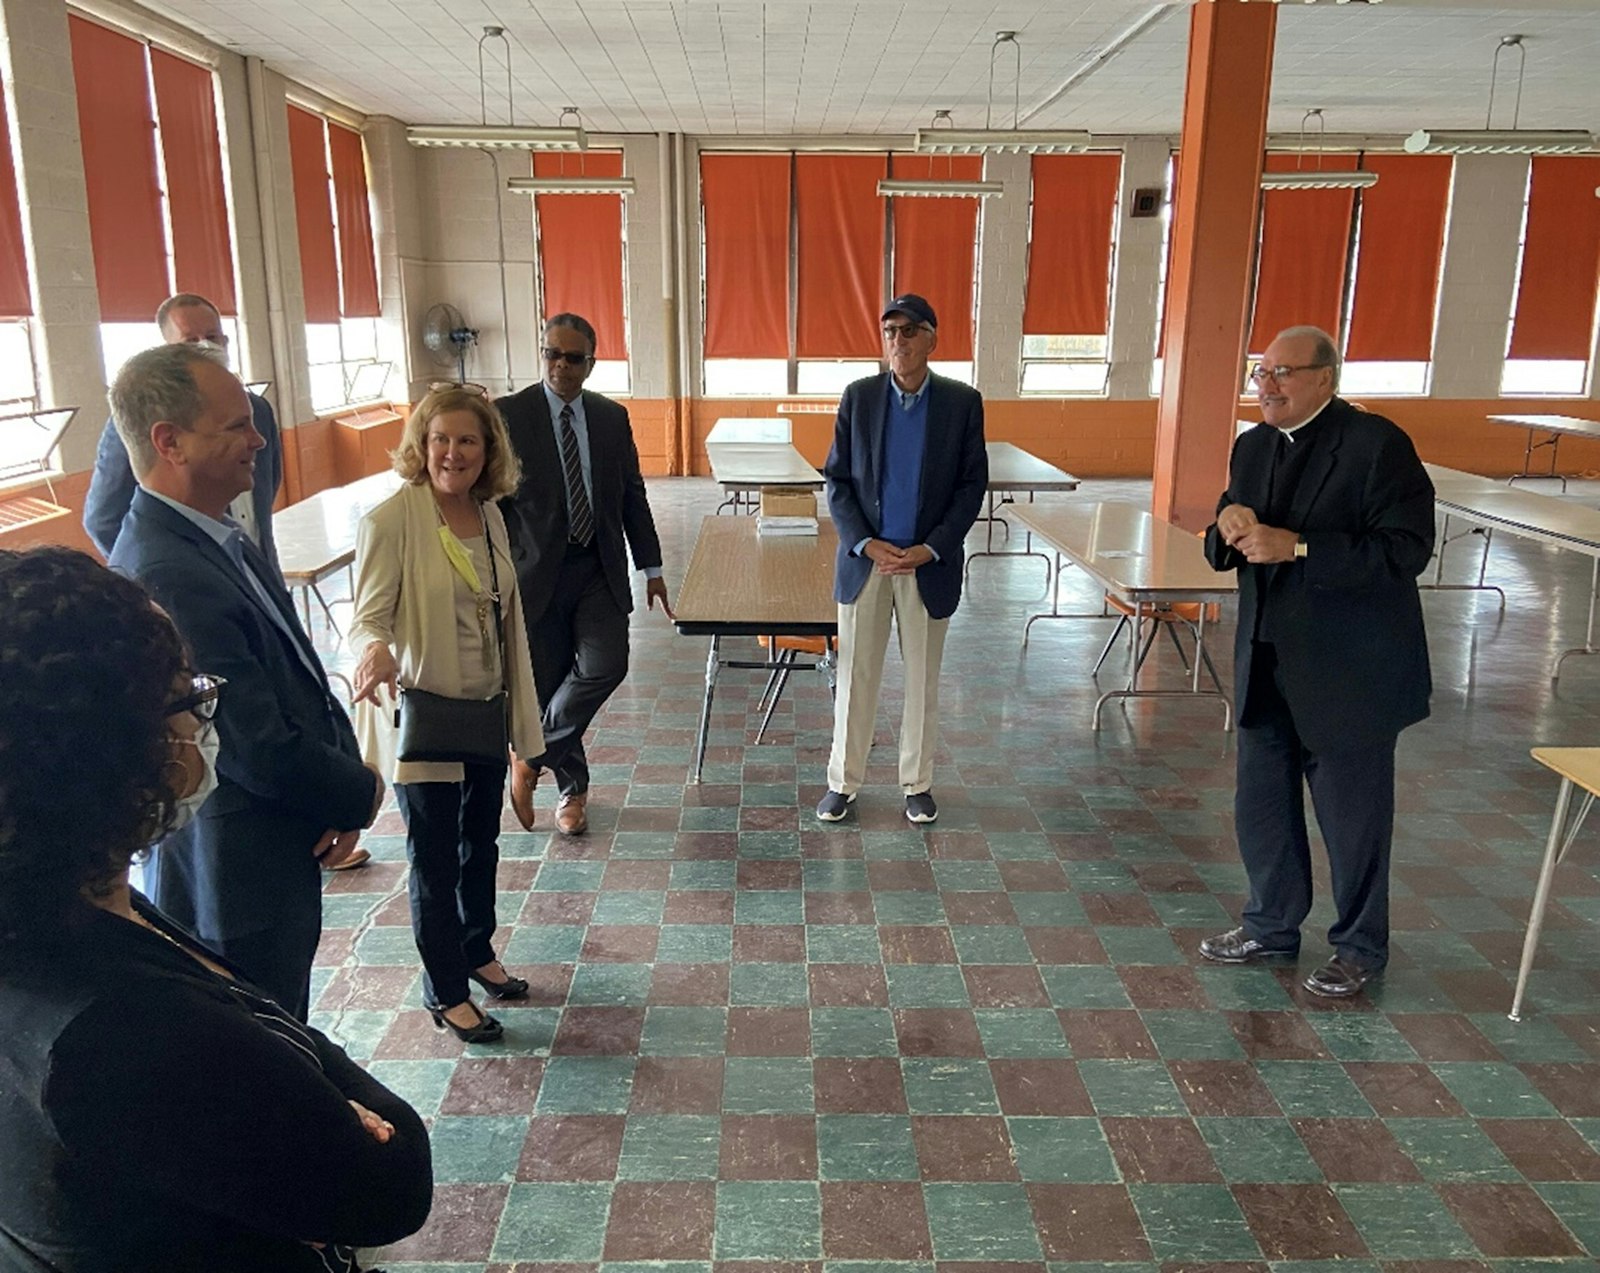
x=119 y=169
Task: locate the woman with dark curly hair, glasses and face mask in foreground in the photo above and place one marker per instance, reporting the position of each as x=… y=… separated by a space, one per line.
x=158 y=1112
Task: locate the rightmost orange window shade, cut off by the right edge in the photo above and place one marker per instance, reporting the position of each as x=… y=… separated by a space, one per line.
x=1561 y=260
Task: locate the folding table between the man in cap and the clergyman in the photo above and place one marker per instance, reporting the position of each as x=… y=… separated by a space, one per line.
x=1143 y=562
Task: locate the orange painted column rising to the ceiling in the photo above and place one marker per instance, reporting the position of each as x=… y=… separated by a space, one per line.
x=1214 y=250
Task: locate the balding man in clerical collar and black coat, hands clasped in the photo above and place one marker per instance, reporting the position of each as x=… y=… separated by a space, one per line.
x=1329 y=519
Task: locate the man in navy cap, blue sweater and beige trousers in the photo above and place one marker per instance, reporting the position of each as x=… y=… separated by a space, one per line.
x=905 y=482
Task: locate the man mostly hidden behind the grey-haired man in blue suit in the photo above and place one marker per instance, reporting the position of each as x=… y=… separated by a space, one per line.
x=186 y=319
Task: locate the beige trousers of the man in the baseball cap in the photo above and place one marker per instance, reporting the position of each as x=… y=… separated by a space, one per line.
x=863 y=640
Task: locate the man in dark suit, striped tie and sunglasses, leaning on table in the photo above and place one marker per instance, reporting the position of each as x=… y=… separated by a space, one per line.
x=582 y=495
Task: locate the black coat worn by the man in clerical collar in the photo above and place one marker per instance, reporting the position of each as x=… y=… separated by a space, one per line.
x=1346 y=621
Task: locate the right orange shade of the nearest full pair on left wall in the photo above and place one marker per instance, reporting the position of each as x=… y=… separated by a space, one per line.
x=198 y=204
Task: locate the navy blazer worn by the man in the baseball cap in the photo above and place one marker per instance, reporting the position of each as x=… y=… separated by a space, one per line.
x=954 y=477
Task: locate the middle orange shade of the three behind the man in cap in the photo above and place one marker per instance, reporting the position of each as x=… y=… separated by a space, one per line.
x=841 y=255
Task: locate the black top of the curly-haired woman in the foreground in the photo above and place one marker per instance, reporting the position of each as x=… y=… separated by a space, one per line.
x=151 y=1122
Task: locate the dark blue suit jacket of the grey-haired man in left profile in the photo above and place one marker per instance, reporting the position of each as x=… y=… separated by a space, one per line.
x=289 y=770
